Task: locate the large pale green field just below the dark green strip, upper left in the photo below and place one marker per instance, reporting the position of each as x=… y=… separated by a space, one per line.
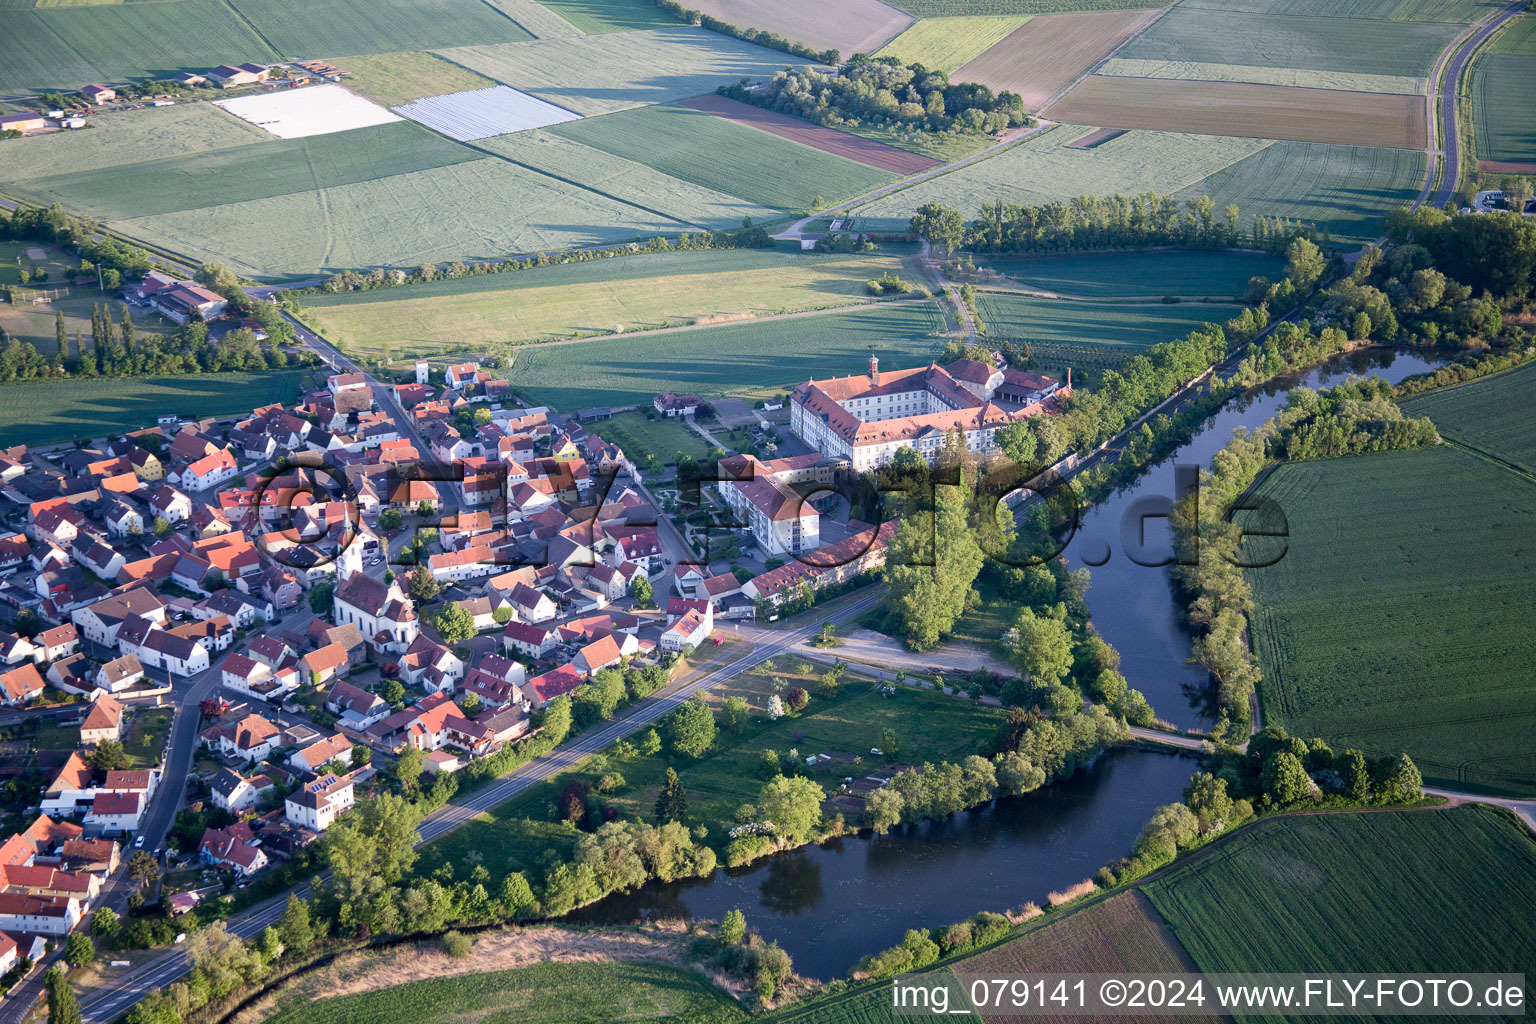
x=483 y=208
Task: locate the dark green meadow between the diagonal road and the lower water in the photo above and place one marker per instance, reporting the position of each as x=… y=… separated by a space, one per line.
x=929 y=725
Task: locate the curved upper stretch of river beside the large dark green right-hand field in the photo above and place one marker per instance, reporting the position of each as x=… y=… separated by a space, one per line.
x=1134 y=607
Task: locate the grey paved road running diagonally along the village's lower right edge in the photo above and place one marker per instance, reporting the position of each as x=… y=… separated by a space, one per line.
x=170 y=966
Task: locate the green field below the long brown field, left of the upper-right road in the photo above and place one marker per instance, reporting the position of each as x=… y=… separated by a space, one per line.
x=1345 y=191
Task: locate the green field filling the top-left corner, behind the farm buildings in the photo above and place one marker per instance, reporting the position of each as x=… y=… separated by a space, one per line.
x=64 y=48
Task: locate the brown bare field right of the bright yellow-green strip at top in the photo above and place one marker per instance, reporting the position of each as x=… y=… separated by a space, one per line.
x=1051 y=51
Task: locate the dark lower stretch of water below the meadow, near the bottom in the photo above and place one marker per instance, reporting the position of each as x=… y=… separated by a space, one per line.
x=830 y=905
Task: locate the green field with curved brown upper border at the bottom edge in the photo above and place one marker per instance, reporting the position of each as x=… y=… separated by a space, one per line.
x=546 y=994
